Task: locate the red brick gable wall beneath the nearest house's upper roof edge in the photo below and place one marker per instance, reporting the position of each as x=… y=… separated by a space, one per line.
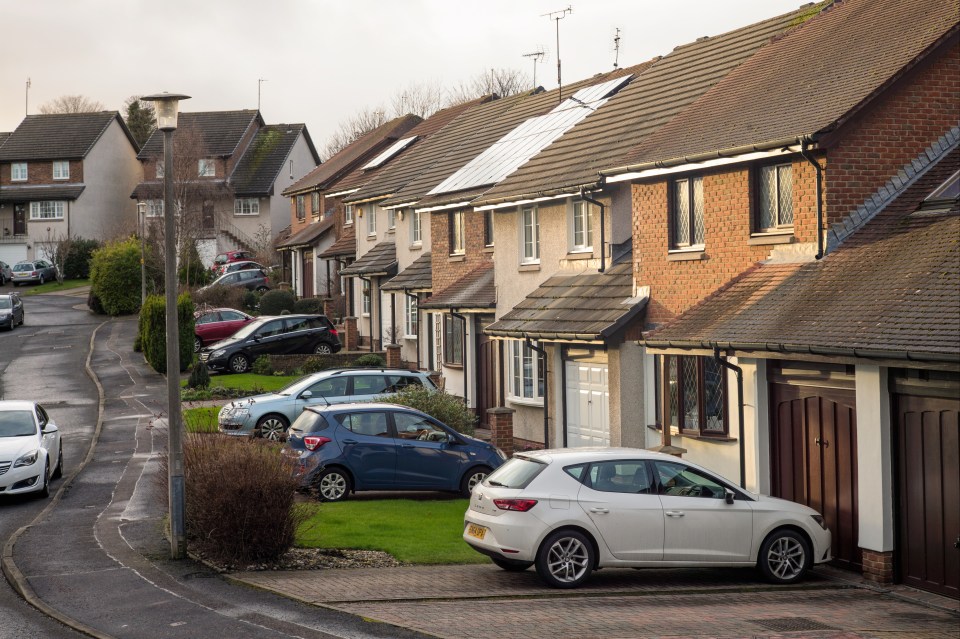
x=908 y=118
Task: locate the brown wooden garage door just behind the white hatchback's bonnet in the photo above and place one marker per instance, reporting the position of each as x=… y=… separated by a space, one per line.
x=814 y=453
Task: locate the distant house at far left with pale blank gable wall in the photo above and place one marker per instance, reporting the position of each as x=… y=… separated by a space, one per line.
x=65 y=175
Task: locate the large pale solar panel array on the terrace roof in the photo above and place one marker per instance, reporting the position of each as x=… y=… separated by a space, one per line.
x=533 y=135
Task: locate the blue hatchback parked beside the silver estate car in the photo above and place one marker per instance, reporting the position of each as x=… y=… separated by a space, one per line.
x=343 y=448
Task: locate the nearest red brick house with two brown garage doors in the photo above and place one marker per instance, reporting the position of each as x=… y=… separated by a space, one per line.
x=761 y=184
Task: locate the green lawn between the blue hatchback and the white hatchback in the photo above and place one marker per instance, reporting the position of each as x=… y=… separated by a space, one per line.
x=413 y=531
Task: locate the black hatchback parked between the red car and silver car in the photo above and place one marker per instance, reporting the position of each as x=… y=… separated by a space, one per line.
x=289 y=334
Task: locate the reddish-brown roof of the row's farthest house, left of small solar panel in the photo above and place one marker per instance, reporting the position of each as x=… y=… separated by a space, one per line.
x=344 y=161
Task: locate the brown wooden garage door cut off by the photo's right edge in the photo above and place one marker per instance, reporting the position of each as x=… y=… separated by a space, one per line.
x=928 y=481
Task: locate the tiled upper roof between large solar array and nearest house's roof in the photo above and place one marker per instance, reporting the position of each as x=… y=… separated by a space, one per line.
x=661 y=89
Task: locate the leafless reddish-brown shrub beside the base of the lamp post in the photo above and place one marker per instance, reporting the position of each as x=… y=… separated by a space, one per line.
x=253 y=520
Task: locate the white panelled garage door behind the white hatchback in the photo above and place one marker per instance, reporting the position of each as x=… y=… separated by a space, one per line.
x=588 y=413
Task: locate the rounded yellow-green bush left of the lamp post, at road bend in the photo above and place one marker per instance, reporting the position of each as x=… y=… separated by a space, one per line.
x=115 y=277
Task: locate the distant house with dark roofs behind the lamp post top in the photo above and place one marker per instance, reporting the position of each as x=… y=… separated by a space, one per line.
x=232 y=169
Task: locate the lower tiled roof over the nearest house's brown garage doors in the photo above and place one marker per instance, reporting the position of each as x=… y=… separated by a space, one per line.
x=892 y=290
